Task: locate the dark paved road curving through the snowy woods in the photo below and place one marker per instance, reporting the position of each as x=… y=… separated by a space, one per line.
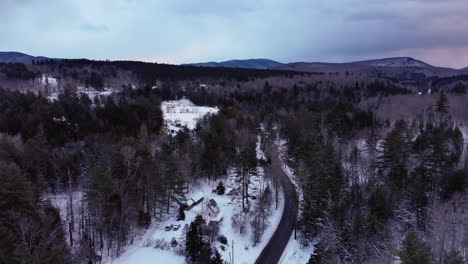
x=272 y=252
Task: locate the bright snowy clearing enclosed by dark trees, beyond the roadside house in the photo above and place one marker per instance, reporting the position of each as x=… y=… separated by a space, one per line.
x=180 y=113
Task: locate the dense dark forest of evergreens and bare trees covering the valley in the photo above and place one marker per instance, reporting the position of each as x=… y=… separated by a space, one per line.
x=372 y=189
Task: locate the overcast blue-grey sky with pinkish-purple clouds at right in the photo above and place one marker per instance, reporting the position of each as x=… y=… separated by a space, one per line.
x=182 y=31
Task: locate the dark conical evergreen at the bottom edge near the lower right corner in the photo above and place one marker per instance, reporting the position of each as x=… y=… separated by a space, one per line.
x=414 y=250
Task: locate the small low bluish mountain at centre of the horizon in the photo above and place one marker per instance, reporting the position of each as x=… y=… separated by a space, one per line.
x=248 y=64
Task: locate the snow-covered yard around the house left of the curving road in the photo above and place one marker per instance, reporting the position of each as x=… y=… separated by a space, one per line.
x=153 y=246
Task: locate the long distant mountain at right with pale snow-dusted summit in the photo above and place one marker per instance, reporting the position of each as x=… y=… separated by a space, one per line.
x=400 y=68
